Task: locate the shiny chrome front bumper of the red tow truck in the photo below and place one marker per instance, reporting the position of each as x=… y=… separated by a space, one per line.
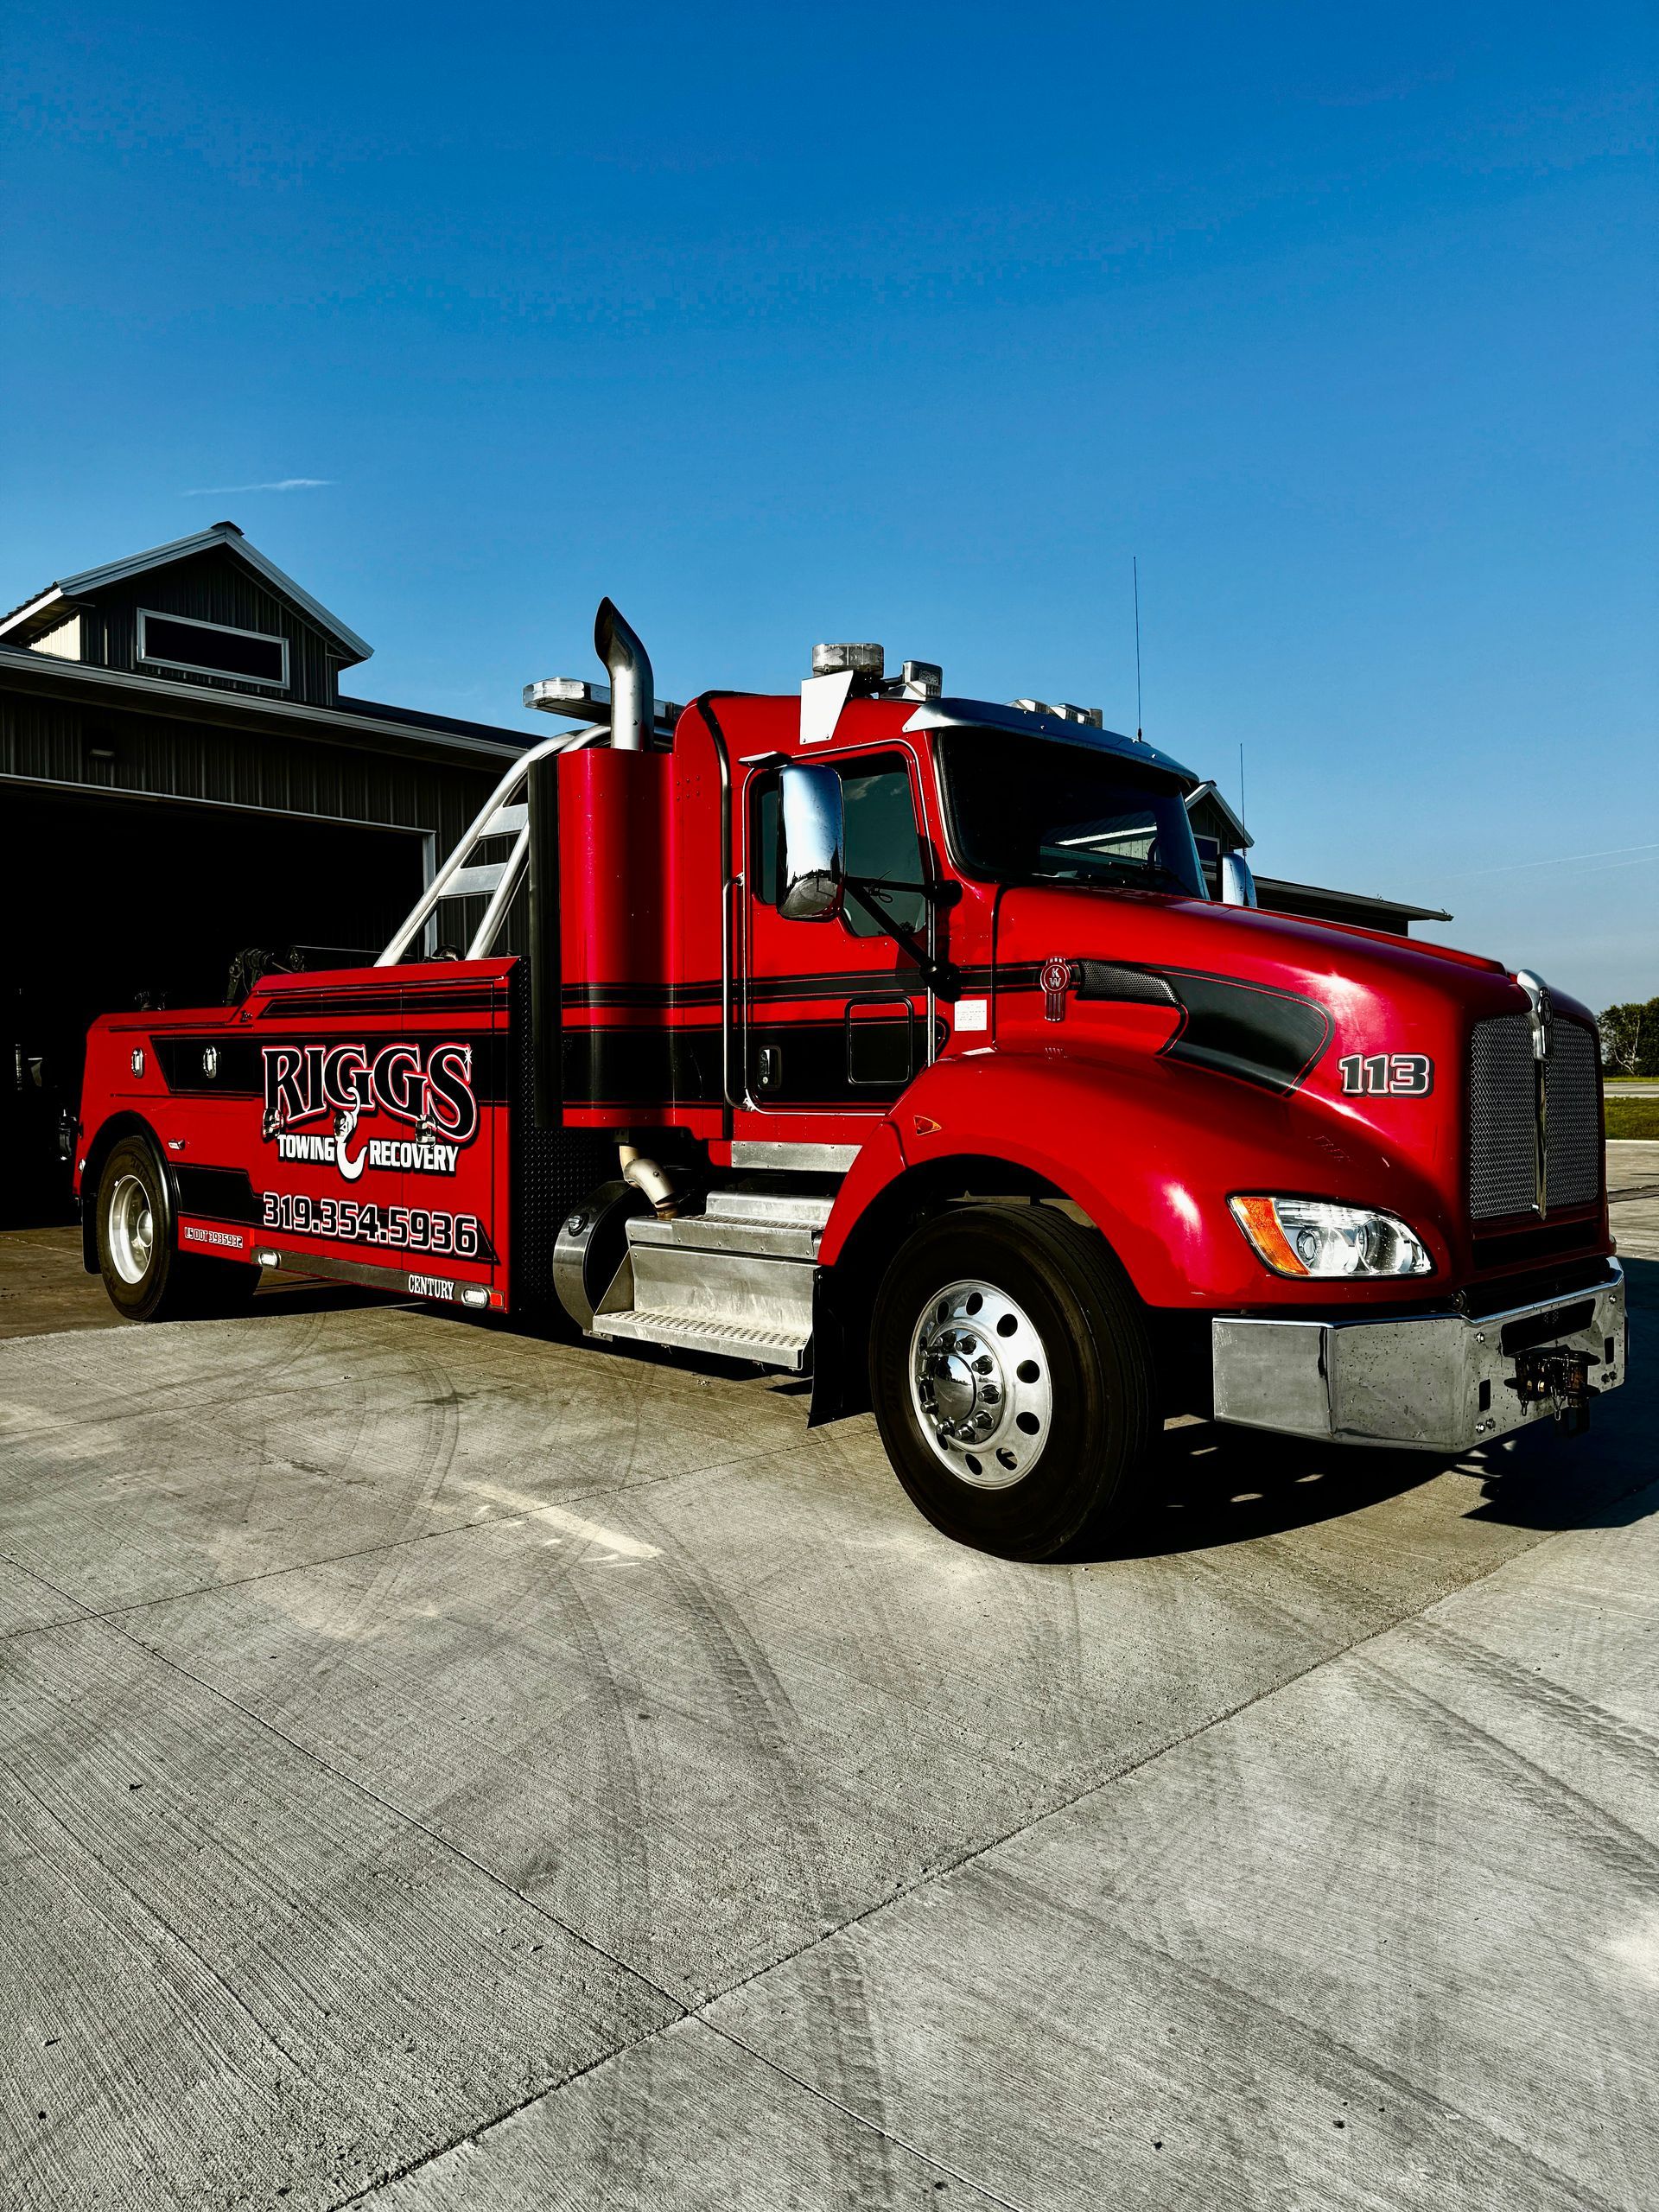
x=1439 y=1384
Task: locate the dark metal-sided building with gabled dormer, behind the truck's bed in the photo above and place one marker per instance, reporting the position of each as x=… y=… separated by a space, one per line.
x=180 y=780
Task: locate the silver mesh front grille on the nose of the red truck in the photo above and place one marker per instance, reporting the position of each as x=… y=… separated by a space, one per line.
x=1503 y=1118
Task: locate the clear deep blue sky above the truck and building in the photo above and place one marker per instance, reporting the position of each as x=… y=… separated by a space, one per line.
x=912 y=324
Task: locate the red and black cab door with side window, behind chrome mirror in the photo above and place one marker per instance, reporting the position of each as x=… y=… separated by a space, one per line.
x=835 y=1012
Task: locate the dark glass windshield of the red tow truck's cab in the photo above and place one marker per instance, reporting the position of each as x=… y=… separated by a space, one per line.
x=1039 y=811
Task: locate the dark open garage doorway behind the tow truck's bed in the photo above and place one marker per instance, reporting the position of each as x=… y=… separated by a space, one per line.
x=112 y=901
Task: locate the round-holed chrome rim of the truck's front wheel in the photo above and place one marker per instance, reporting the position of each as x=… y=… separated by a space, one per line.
x=981 y=1386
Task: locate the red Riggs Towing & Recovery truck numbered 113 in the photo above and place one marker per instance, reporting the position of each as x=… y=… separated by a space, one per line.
x=897 y=1039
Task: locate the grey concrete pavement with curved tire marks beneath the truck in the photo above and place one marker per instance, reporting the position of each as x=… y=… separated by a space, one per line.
x=441 y=1768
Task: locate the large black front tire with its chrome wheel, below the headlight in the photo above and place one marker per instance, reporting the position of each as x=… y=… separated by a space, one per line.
x=1012 y=1379
